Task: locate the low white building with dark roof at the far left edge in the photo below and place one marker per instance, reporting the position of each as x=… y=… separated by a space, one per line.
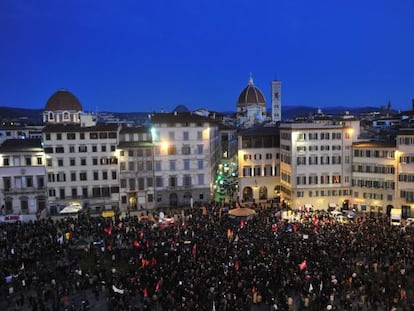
x=22 y=177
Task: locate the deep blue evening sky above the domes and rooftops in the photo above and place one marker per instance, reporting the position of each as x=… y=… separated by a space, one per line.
x=133 y=55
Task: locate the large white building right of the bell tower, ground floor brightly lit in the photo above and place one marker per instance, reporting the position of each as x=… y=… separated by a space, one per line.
x=315 y=163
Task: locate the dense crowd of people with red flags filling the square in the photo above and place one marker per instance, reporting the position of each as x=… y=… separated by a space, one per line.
x=204 y=260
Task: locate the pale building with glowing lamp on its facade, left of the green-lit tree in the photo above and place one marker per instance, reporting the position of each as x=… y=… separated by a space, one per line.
x=187 y=153
